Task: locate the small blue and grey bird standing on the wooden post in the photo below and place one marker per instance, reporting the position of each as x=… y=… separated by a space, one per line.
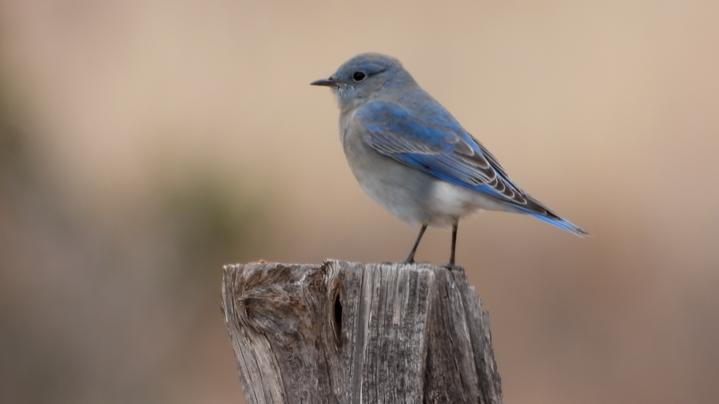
x=412 y=157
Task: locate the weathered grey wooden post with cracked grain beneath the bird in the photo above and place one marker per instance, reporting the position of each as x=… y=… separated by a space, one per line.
x=345 y=332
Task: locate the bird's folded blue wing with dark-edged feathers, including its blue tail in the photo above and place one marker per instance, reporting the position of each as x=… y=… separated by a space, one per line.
x=425 y=136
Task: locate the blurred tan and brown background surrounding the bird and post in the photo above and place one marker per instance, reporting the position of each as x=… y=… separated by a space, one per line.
x=145 y=143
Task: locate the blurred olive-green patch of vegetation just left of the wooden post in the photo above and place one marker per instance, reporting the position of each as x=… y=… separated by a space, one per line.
x=209 y=226
